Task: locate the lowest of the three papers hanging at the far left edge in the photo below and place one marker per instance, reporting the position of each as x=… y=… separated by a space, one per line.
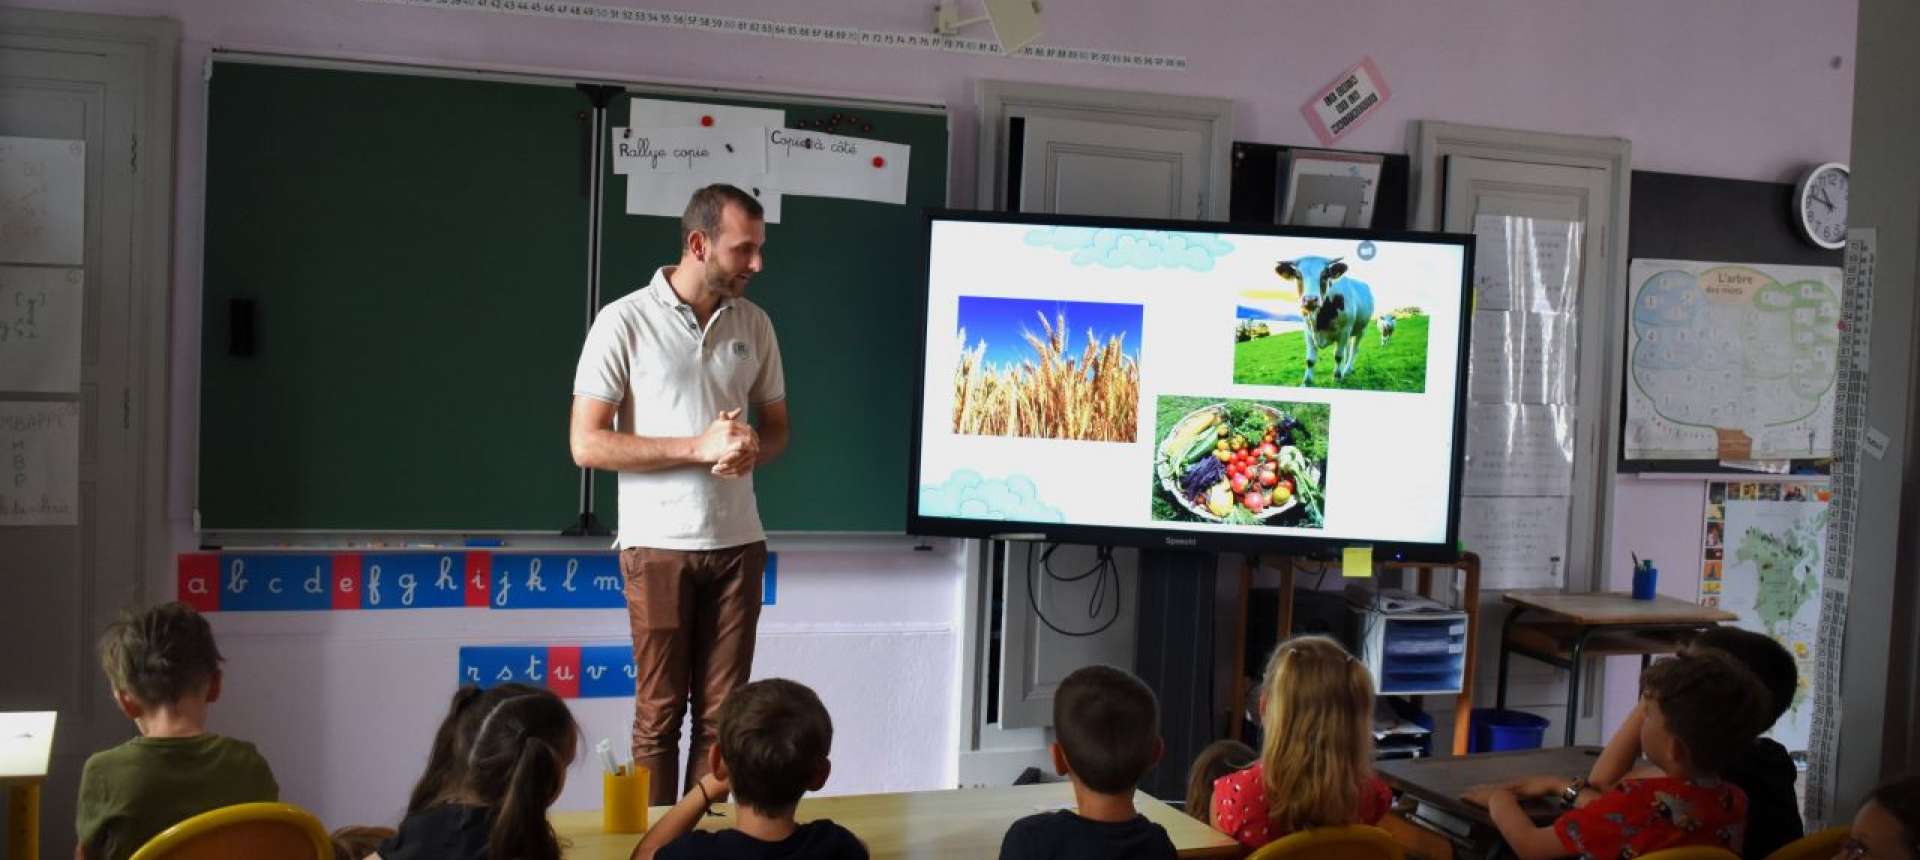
x=39 y=464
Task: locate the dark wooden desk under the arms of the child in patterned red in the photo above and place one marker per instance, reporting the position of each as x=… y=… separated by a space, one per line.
x=1437 y=788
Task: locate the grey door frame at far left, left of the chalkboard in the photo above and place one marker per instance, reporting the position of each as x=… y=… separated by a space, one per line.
x=153 y=45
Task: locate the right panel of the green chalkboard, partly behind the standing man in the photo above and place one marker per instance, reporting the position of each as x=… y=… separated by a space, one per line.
x=844 y=283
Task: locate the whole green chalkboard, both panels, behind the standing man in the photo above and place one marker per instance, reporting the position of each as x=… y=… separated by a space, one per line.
x=395 y=300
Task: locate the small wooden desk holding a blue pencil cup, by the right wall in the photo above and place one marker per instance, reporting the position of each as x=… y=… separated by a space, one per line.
x=1570 y=629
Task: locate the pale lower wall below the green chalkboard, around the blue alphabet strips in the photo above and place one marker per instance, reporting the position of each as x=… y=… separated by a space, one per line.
x=345 y=704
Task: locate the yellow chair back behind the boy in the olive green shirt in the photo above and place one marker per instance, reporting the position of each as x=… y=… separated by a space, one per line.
x=264 y=830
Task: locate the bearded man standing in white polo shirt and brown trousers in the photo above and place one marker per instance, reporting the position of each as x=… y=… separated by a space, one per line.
x=661 y=396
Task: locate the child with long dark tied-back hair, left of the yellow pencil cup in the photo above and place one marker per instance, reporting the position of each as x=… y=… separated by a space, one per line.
x=491 y=794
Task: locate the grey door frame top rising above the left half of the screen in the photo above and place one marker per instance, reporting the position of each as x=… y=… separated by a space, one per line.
x=997 y=101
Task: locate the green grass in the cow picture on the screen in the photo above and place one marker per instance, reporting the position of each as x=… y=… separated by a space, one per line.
x=1284 y=360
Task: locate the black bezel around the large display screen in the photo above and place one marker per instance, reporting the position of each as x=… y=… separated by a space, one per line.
x=1159 y=538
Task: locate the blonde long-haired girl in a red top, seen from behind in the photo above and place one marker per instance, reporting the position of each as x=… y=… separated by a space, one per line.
x=1316 y=757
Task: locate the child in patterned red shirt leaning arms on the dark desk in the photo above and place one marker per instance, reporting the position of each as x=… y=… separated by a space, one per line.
x=1698 y=713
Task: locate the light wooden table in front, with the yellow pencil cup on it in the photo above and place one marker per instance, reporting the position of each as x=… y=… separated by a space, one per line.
x=917 y=824
